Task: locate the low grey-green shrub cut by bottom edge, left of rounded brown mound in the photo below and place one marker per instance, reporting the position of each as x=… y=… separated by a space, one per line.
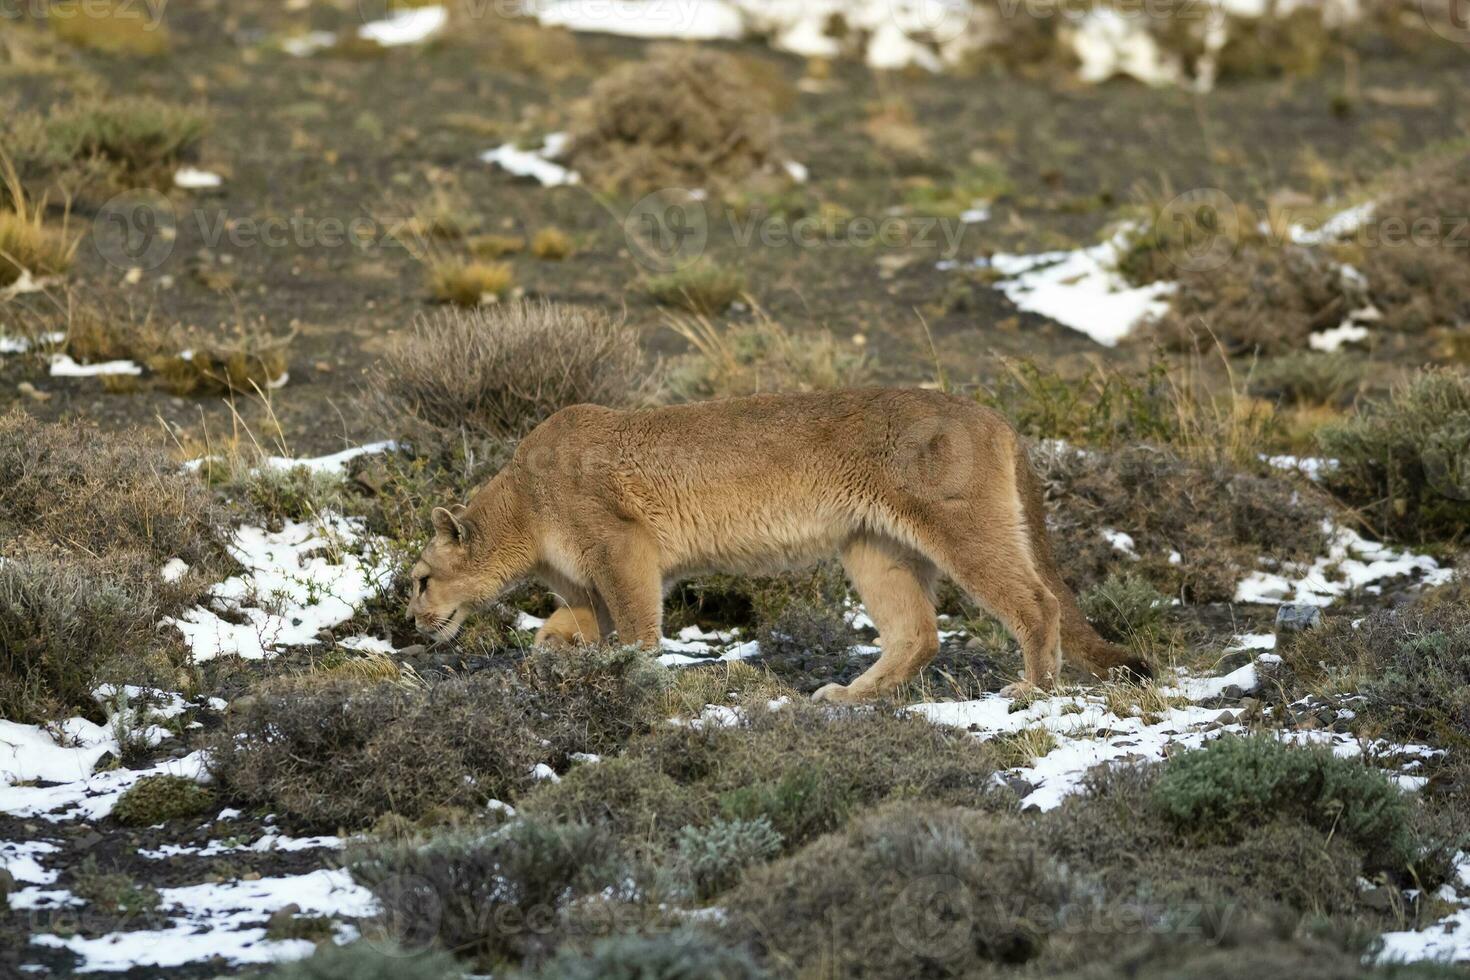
x=680 y=956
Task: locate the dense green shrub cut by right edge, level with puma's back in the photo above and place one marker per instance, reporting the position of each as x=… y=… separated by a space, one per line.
x=1405 y=461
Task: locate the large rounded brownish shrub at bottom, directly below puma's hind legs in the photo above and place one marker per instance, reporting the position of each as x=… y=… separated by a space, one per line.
x=908 y=891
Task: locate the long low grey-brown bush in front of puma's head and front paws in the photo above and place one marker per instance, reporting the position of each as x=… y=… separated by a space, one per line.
x=329 y=752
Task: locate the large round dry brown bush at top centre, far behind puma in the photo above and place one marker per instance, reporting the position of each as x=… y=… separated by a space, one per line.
x=686 y=117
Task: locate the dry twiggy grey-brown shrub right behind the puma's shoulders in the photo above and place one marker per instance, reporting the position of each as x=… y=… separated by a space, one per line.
x=496 y=374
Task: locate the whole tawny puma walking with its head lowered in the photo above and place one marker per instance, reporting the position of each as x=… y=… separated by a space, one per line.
x=611 y=509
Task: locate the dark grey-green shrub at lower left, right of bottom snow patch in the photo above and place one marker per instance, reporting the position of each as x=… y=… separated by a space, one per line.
x=501 y=896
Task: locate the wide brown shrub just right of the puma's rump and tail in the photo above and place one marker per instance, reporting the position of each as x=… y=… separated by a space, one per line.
x=1218 y=519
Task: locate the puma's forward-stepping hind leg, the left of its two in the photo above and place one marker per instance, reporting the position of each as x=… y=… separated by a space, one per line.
x=897 y=590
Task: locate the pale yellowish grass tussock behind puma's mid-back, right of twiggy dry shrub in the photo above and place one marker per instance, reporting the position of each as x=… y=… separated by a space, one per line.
x=761 y=356
